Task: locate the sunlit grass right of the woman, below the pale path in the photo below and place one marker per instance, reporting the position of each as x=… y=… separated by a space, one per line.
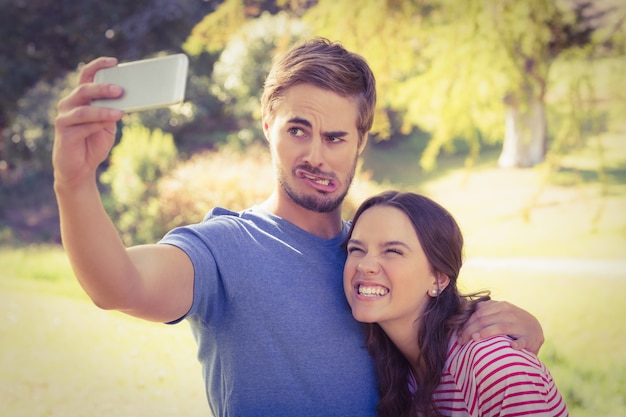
x=581 y=314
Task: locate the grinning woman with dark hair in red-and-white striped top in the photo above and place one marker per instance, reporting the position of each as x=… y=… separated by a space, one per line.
x=400 y=277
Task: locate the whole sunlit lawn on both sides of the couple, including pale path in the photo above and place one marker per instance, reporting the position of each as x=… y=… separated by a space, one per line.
x=551 y=242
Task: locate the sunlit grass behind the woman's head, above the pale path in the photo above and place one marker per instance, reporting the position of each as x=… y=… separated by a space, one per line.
x=539 y=212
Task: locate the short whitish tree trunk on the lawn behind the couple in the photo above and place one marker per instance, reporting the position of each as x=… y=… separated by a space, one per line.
x=525 y=136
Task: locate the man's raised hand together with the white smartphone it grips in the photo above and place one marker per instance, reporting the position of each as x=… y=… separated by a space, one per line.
x=86 y=121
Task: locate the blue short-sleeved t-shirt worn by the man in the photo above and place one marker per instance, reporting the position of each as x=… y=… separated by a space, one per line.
x=275 y=334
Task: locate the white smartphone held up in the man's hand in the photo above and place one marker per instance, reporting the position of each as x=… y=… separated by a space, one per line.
x=148 y=83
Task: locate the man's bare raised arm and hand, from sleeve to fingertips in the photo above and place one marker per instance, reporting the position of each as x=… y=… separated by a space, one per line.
x=154 y=282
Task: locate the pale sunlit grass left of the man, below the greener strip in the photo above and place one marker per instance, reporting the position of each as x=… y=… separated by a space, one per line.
x=62 y=357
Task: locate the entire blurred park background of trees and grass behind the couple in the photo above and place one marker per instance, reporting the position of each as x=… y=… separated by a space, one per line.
x=510 y=113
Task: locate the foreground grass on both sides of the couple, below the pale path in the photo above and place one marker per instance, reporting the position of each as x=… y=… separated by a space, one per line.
x=75 y=359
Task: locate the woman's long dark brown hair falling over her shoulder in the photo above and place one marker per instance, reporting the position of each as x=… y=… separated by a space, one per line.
x=442 y=242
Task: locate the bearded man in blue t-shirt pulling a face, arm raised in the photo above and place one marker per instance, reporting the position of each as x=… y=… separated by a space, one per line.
x=262 y=289
